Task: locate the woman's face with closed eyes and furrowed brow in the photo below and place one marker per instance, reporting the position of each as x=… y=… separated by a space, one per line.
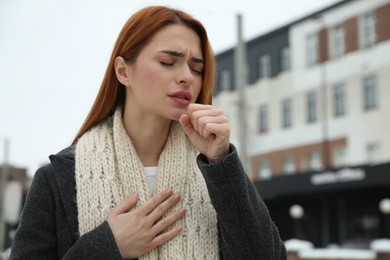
x=167 y=75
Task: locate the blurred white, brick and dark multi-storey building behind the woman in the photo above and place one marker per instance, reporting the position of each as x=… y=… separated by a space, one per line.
x=318 y=124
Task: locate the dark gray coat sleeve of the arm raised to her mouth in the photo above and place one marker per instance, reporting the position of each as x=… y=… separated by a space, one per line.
x=245 y=226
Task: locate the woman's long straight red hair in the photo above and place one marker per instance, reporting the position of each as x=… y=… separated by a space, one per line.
x=135 y=34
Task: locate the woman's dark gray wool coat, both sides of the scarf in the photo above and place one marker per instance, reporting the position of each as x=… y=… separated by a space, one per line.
x=48 y=227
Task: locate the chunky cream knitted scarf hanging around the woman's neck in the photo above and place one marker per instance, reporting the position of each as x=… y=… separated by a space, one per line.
x=108 y=170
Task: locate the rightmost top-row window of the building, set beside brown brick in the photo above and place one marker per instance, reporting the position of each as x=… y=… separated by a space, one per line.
x=367 y=30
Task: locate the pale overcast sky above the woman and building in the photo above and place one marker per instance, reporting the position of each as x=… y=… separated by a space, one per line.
x=53 y=54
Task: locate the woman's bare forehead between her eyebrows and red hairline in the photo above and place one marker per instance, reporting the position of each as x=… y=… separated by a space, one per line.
x=176 y=37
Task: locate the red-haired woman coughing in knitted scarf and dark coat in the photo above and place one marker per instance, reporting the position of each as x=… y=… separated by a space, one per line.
x=151 y=173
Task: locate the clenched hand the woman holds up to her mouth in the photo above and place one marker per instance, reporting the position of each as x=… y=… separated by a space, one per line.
x=208 y=129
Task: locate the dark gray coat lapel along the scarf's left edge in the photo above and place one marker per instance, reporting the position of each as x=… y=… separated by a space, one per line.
x=64 y=169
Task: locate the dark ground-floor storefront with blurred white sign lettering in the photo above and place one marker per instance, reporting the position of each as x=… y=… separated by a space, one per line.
x=340 y=206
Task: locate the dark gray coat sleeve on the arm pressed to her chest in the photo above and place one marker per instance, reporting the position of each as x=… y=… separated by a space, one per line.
x=43 y=232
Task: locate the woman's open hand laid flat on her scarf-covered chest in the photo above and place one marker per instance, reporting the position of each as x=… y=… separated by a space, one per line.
x=138 y=231
